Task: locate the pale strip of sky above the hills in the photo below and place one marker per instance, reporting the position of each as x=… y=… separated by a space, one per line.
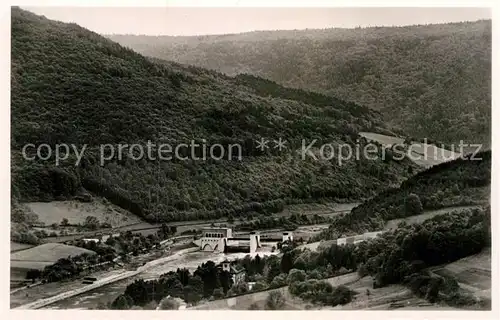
x=201 y=21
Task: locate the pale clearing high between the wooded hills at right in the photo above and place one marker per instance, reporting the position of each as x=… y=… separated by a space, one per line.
x=425 y=155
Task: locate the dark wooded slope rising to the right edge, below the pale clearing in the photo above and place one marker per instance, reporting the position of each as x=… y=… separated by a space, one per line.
x=454 y=183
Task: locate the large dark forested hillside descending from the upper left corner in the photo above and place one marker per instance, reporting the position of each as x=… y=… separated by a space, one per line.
x=73 y=86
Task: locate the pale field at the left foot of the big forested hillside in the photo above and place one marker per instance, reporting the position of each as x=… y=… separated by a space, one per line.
x=76 y=212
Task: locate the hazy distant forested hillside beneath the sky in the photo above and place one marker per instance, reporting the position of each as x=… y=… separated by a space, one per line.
x=431 y=81
